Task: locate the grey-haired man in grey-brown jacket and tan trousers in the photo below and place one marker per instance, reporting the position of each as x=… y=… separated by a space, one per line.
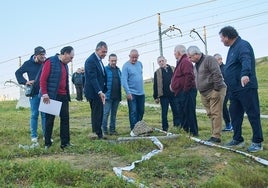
x=209 y=82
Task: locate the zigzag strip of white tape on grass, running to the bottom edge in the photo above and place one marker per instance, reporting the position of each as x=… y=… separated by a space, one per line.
x=118 y=170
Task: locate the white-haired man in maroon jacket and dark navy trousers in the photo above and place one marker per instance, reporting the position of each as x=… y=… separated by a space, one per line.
x=184 y=87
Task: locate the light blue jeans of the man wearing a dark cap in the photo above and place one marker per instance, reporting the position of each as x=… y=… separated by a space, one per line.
x=34 y=103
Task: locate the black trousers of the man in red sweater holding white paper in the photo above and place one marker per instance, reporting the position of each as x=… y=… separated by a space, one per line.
x=64 y=123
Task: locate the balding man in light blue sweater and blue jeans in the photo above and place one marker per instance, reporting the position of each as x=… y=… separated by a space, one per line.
x=132 y=81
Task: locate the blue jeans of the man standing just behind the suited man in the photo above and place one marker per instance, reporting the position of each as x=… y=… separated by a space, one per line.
x=110 y=106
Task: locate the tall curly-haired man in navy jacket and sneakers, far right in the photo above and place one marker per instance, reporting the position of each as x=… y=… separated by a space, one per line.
x=242 y=83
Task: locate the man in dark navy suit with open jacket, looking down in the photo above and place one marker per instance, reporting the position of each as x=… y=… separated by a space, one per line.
x=95 y=86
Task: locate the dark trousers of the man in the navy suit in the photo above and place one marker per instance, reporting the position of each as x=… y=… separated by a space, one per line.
x=96 y=115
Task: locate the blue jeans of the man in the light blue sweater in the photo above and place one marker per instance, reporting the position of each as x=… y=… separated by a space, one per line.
x=135 y=109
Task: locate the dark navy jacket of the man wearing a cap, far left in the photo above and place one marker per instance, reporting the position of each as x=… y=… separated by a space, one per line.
x=32 y=69
